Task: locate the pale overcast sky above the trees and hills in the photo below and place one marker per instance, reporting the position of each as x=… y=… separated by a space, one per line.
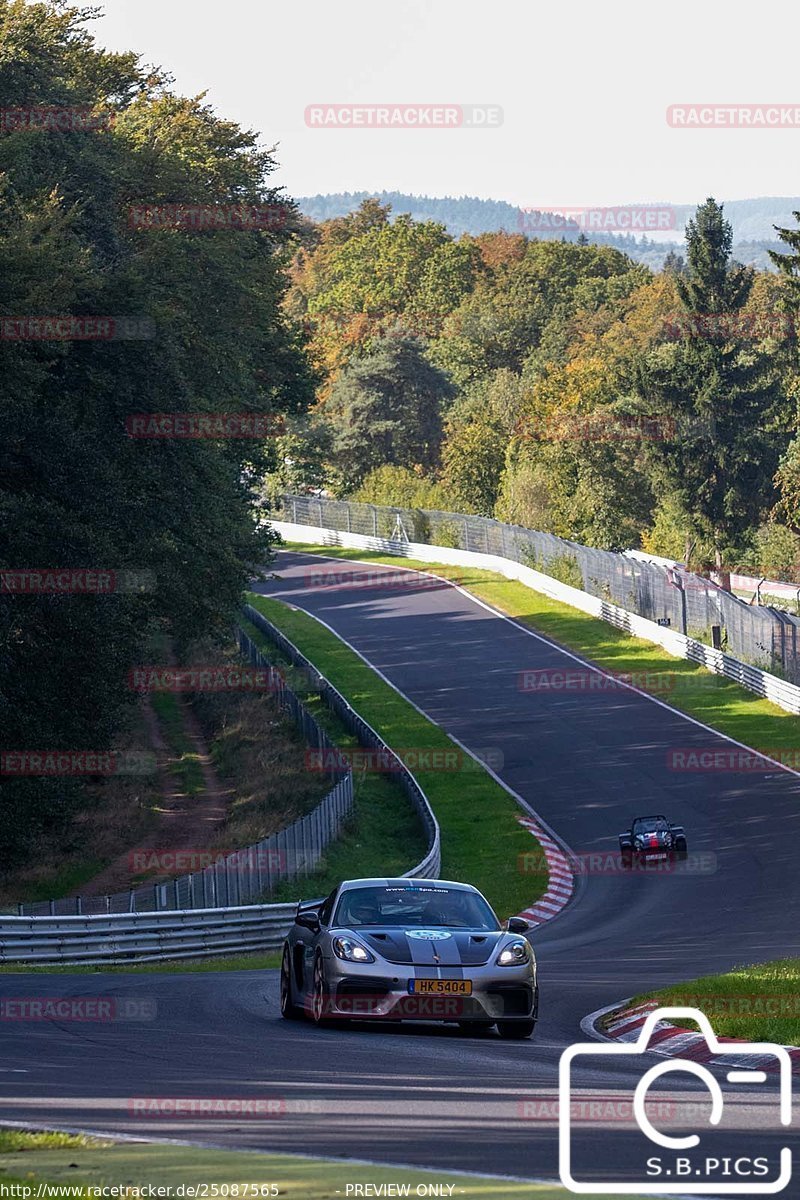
x=584 y=87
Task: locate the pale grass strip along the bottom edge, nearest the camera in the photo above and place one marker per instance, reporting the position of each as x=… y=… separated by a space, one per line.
x=86 y=1163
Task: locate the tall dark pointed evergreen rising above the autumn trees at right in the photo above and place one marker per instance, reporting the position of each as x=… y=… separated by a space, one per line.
x=712 y=394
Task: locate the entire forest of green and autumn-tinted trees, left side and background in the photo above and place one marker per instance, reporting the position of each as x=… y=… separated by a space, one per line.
x=558 y=385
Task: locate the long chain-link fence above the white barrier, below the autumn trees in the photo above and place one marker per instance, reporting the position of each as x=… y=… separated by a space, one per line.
x=767 y=638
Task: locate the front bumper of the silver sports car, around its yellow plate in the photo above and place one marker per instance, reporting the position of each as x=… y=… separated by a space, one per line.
x=381 y=991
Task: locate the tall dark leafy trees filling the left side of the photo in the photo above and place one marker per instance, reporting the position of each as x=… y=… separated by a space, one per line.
x=76 y=491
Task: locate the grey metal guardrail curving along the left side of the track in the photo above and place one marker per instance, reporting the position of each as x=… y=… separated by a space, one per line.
x=203 y=933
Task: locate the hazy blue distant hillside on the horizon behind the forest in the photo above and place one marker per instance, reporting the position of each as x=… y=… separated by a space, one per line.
x=753 y=221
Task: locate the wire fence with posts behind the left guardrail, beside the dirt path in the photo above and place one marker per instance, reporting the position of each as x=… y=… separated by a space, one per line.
x=243 y=877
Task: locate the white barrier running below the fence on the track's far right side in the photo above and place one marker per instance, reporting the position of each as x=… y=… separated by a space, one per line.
x=783 y=693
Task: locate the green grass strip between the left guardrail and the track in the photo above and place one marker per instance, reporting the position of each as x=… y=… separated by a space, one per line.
x=482 y=839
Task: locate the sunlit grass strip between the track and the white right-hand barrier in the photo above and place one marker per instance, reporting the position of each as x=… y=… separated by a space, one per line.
x=712 y=699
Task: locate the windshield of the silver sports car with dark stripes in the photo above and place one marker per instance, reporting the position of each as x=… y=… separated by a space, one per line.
x=416 y=907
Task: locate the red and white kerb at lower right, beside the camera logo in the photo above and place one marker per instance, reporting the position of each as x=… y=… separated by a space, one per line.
x=673 y=1042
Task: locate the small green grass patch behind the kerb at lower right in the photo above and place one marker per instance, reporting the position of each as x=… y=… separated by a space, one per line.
x=761 y=1004
